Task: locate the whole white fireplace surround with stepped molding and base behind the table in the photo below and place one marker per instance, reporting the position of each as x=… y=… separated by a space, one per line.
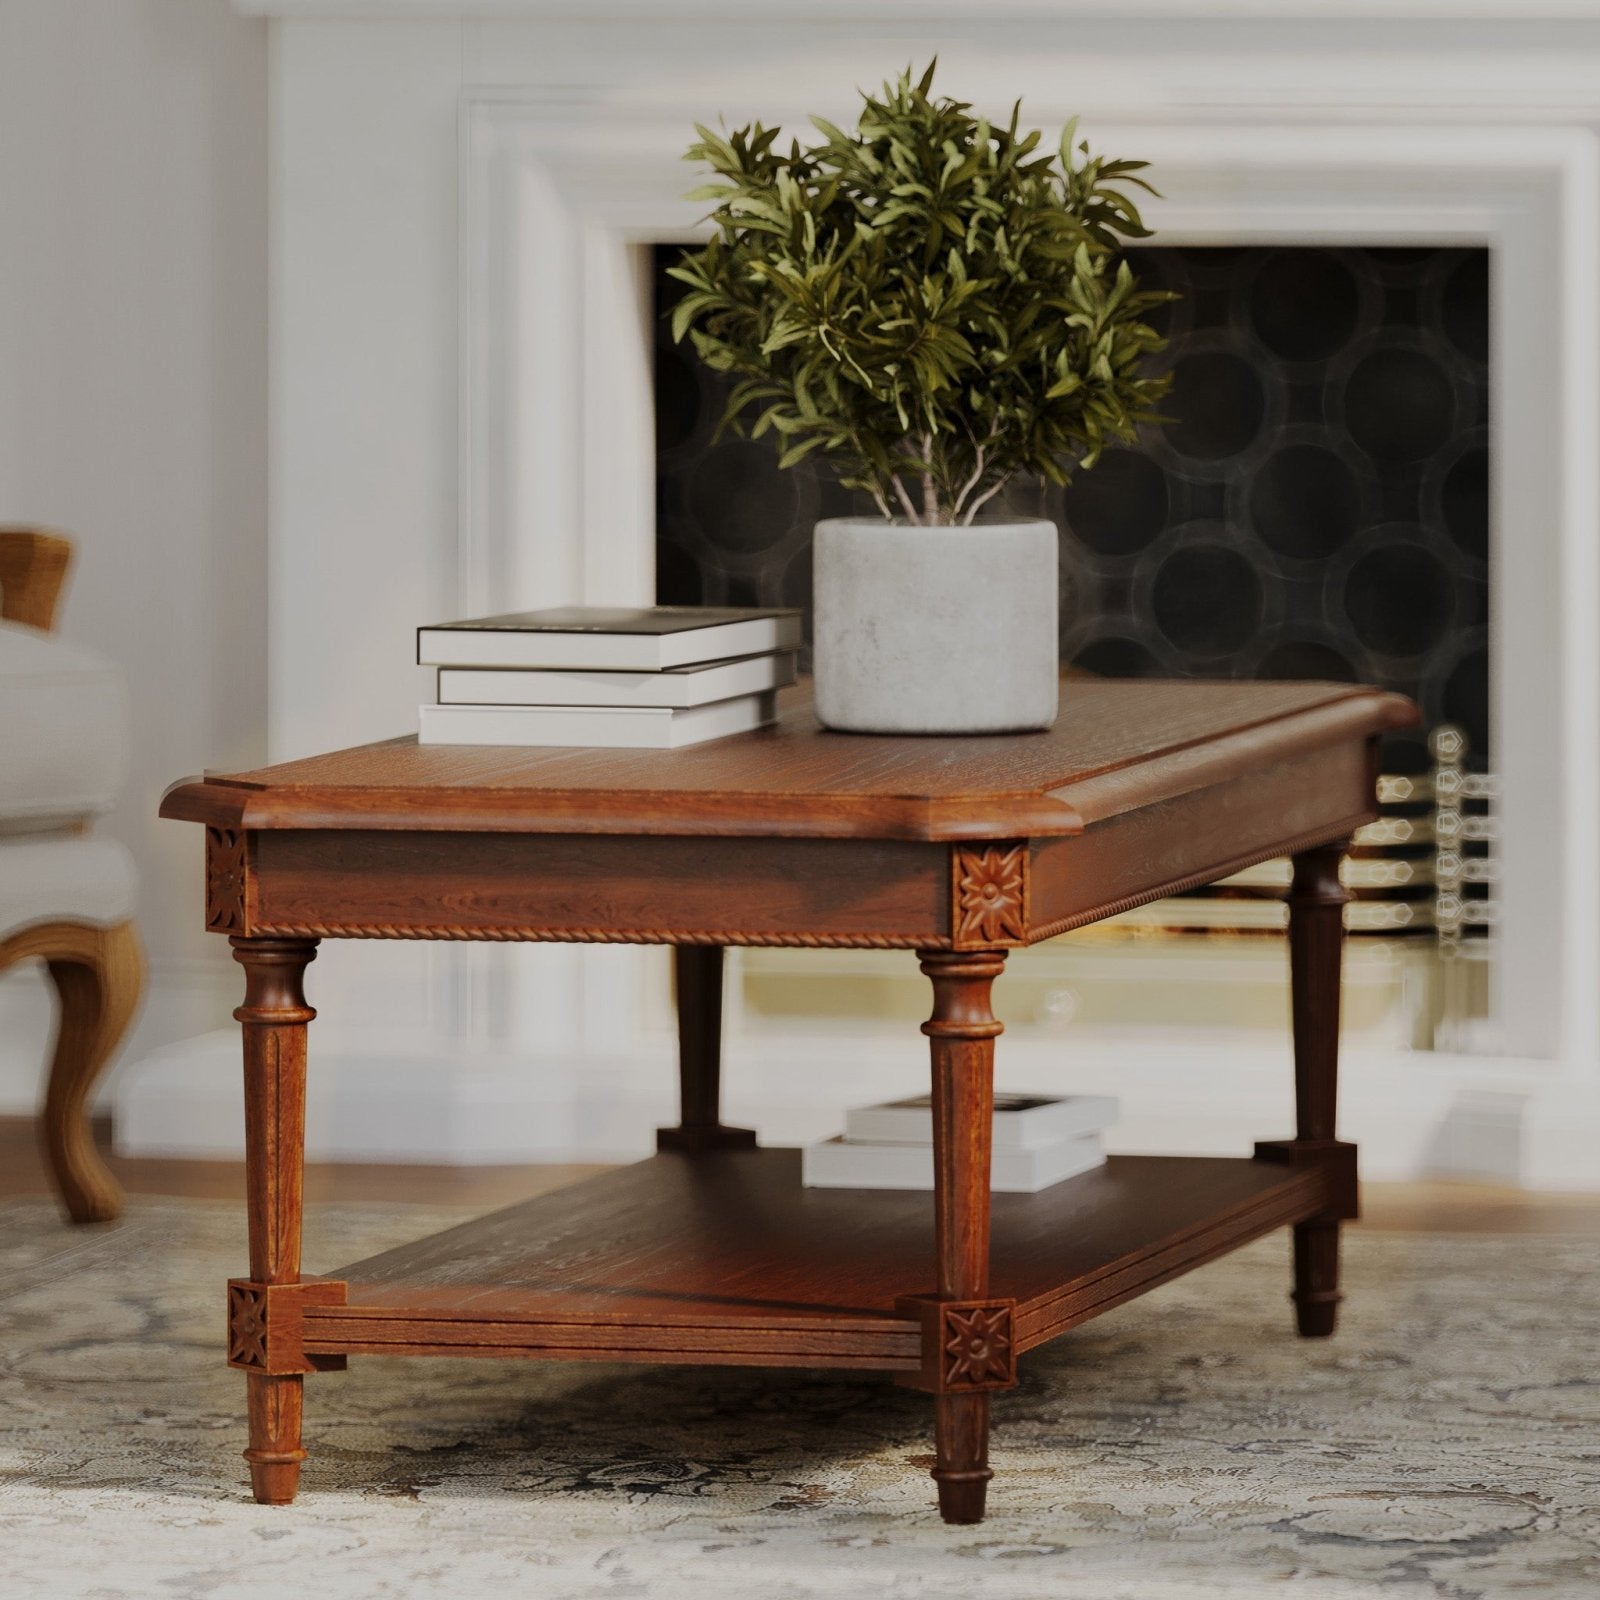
x=548 y=153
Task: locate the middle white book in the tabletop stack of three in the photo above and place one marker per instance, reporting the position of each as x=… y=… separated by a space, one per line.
x=679 y=687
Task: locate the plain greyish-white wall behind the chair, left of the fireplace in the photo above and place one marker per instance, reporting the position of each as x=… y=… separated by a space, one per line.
x=134 y=337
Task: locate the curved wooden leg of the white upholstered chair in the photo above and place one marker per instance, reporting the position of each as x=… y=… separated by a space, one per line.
x=98 y=975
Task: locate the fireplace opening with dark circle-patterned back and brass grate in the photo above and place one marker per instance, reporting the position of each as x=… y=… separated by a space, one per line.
x=1319 y=508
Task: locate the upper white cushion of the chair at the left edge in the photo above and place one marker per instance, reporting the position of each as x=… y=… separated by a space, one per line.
x=63 y=730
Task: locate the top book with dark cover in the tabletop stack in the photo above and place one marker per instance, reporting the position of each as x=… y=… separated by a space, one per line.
x=609 y=639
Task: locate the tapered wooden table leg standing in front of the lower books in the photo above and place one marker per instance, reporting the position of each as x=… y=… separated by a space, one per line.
x=962 y=1033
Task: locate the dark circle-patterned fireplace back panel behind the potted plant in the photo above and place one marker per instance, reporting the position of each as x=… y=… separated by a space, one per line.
x=1318 y=510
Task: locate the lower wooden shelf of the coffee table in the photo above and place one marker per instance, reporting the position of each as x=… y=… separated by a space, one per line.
x=729 y=1260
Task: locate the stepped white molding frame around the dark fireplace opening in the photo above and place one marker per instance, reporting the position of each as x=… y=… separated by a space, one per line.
x=558 y=506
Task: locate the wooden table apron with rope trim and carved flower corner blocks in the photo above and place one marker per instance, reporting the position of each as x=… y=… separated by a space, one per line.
x=380 y=884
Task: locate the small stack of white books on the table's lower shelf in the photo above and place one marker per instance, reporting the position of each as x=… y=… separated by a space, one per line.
x=1039 y=1140
